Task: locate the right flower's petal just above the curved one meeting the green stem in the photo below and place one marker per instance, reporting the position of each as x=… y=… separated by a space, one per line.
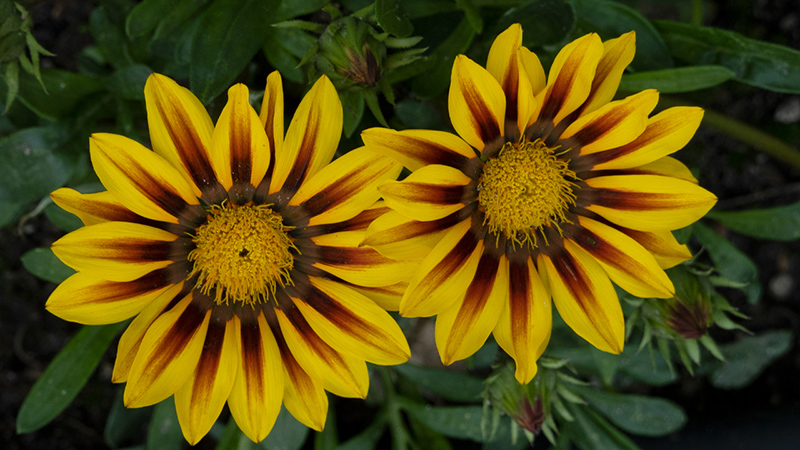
x=615 y=124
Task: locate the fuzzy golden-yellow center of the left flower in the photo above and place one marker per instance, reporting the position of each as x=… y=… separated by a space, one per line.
x=242 y=253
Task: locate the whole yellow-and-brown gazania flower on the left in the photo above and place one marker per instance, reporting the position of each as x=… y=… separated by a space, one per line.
x=237 y=251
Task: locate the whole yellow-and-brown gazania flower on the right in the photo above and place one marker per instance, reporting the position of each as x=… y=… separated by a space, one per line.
x=550 y=190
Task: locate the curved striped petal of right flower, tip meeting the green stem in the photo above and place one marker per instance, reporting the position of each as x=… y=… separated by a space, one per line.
x=666 y=132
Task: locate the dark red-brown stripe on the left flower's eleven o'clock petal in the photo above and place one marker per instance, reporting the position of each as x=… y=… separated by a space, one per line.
x=190 y=147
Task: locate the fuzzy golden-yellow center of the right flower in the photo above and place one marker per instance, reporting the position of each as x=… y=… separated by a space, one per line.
x=524 y=189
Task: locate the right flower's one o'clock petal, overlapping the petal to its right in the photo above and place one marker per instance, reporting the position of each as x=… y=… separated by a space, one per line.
x=570 y=78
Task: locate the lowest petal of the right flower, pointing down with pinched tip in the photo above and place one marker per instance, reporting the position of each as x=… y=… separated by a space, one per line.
x=523 y=329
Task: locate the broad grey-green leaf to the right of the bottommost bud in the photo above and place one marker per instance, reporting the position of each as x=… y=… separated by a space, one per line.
x=637 y=414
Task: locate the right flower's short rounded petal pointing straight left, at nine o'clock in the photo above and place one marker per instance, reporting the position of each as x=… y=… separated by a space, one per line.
x=430 y=193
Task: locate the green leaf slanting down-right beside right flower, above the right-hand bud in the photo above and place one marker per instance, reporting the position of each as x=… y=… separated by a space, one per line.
x=729 y=261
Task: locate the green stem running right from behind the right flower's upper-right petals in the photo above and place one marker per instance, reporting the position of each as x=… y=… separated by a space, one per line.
x=745 y=133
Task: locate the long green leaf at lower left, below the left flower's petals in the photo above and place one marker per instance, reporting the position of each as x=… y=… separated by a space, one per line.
x=65 y=376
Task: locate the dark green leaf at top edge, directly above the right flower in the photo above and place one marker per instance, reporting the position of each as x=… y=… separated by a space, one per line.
x=544 y=22
